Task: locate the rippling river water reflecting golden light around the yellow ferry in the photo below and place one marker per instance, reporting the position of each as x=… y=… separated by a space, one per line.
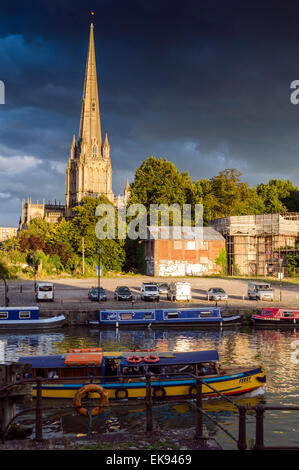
x=236 y=346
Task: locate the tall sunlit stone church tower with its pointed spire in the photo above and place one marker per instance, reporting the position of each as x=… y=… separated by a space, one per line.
x=89 y=170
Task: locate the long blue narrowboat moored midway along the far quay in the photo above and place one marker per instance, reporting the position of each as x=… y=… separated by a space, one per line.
x=205 y=317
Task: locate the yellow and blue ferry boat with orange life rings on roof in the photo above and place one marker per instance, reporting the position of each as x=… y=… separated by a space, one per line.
x=122 y=374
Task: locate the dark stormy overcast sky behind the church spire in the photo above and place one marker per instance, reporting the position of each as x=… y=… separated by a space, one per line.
x=204 y=84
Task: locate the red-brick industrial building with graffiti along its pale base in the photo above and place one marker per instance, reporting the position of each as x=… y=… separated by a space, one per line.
x=175 y=252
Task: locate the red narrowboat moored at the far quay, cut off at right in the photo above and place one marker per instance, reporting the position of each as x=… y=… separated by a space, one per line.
x=277 y=317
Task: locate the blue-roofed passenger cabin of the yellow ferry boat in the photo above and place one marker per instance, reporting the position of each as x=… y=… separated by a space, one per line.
x=114 y=366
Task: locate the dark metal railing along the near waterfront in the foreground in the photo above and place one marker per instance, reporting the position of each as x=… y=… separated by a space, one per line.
x=240 y=440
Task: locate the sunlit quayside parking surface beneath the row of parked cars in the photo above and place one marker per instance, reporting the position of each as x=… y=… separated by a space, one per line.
x=73 y=293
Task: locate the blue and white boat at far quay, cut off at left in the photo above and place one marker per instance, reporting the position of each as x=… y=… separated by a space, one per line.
x=27 y=318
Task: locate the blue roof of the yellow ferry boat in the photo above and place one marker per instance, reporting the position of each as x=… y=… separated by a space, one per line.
x=165 y=358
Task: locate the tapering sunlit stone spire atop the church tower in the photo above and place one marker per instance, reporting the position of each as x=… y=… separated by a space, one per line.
x=90 y=138
